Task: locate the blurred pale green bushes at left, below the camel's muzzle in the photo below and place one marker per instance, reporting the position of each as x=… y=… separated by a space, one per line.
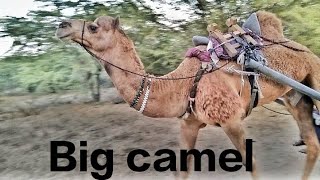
x=49 y=72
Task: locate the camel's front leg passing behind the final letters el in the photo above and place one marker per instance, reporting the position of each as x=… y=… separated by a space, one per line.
x=235 y=132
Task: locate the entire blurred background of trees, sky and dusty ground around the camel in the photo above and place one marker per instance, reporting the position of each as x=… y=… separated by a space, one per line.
x=50 y=90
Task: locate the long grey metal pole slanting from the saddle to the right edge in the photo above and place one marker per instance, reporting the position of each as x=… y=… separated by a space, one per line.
x=283 y=79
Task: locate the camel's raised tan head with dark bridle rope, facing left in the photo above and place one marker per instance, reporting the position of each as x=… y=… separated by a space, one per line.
x=96 y=36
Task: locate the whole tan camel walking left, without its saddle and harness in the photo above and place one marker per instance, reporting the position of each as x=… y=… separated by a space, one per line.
x=217 y=99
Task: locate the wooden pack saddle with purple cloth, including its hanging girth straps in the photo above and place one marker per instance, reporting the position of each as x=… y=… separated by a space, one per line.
x=229 y=46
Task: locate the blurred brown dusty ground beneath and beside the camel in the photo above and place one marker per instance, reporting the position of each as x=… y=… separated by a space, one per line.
x=25 y=150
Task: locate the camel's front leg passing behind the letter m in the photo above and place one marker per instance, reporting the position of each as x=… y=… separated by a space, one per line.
x=188 y=131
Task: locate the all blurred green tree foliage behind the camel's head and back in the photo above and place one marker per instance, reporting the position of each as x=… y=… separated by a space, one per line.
x=40 y=63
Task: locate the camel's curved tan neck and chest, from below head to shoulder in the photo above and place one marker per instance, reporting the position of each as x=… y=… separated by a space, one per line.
x=167 y=98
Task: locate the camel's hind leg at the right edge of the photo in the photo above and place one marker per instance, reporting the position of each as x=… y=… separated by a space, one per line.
x=302 y=113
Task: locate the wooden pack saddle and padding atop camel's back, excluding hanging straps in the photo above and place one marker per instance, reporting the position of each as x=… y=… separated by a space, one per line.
x=226 y=46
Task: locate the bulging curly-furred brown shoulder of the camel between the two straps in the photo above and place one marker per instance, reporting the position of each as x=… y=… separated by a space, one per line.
x=216 y=102
